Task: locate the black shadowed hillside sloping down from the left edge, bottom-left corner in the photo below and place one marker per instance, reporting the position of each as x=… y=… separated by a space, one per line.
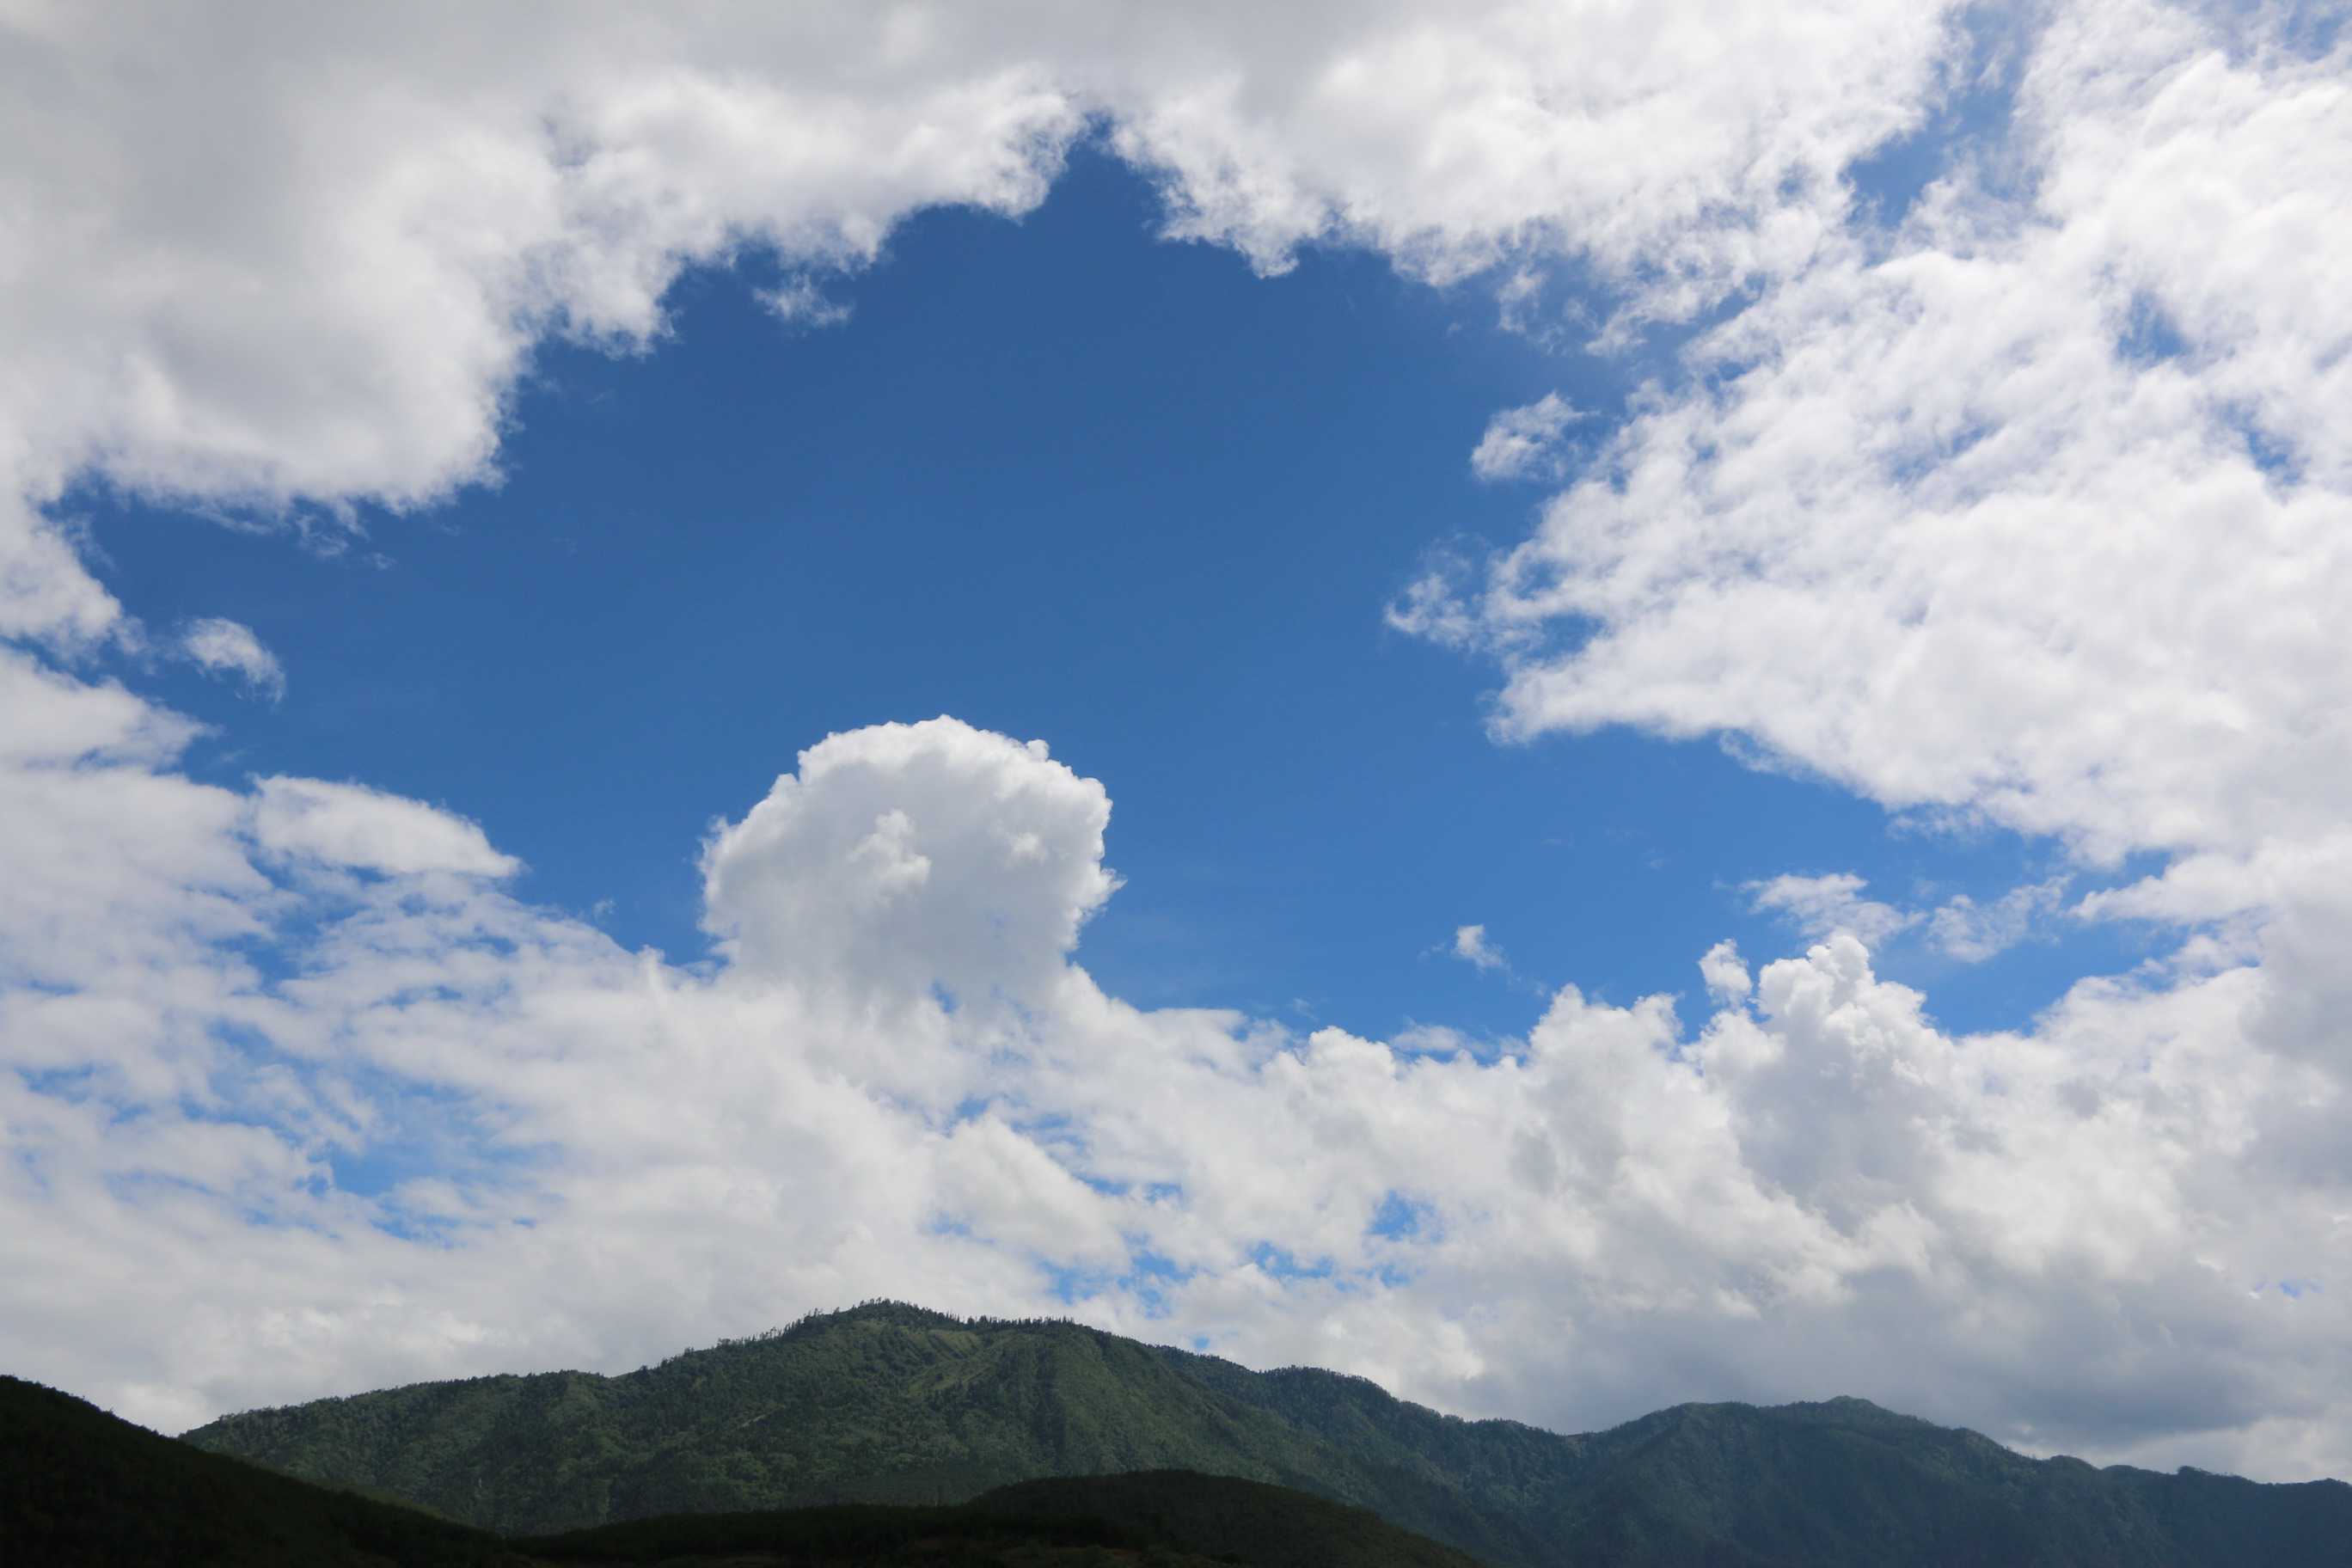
x=86 y=1489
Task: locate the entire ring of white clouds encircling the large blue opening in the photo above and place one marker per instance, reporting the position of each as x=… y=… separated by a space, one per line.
x=2019 y=500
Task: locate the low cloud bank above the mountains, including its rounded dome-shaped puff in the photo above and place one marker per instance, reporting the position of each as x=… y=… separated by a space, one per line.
x=1812 y=1188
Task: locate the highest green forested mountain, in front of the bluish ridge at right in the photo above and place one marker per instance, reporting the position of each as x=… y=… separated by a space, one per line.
x=883 y=1405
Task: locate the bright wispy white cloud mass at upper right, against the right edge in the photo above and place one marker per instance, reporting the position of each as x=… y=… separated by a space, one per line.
x=1949 y=537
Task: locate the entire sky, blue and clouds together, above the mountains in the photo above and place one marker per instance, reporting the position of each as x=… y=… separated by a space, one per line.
x=1572 y=706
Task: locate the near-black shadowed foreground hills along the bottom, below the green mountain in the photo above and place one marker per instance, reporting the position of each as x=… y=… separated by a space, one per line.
x=83 y=1489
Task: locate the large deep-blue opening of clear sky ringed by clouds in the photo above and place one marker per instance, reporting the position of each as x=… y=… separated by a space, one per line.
x=1071 y=483
